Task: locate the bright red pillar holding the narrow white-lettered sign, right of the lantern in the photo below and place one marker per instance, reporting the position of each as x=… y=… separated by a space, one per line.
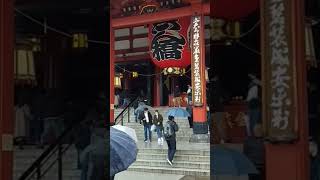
x=200 y=125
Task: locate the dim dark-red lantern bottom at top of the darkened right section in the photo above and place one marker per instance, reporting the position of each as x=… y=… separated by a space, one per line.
x=233 y=9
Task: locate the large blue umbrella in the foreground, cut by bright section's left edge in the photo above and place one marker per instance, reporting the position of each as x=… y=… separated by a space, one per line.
x=123 y=151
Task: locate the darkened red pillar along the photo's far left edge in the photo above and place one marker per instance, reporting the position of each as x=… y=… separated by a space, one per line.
x=6 y=88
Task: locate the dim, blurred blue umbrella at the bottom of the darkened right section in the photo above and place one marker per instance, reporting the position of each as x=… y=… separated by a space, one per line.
x=225 y=161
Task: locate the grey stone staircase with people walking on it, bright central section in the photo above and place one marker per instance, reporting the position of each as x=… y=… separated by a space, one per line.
x=191 y=159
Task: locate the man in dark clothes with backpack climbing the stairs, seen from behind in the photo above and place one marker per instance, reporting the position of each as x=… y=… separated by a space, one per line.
x=170 y=129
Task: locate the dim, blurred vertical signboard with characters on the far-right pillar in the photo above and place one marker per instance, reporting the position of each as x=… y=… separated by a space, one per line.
x=279 y=66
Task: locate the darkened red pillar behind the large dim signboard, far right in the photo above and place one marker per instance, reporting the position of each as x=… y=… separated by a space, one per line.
x=290 y=161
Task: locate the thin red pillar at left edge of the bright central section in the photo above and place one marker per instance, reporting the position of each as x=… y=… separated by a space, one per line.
x=112 y=61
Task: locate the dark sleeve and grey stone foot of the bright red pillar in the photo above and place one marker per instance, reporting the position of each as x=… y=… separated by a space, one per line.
x=200 y=133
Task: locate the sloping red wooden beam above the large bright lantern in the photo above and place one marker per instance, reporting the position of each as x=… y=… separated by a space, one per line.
x=131 y=21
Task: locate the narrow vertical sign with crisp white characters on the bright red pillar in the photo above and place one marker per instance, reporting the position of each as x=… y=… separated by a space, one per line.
x=196 y=61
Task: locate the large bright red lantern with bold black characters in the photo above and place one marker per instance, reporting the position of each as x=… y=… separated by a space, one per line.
x=169 y=43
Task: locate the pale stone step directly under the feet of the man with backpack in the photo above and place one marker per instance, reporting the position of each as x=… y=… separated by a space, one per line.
x=176 y=164
